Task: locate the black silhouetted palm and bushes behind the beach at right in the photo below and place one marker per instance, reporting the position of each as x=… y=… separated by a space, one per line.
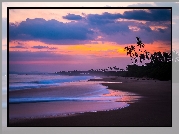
x=159 y=65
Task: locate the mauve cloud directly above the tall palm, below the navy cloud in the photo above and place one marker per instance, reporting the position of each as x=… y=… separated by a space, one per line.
x=147 y=35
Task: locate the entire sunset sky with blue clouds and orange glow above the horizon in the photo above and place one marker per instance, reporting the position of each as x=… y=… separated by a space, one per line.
x=51 y=40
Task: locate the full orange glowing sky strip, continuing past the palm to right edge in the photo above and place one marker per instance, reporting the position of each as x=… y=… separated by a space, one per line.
x=105 y=49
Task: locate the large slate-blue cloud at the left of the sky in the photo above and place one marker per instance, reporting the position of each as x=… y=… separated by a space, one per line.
x=40 y=29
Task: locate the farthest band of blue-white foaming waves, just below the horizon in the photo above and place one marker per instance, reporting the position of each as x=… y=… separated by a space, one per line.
x=19 y=82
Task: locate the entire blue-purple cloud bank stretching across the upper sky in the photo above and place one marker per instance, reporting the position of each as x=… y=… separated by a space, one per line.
x=106 y=25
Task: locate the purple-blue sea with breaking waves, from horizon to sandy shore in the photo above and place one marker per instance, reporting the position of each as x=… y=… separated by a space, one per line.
x=51 y=95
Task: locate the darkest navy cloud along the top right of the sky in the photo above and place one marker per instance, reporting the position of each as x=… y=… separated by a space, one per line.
x=150 y=15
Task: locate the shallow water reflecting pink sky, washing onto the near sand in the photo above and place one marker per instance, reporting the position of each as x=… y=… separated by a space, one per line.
x=73 y=97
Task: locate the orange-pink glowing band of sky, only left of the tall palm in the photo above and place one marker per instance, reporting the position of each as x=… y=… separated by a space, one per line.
x=100 y=49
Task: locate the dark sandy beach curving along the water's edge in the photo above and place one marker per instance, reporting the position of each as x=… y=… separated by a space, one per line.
x=153 y=109
